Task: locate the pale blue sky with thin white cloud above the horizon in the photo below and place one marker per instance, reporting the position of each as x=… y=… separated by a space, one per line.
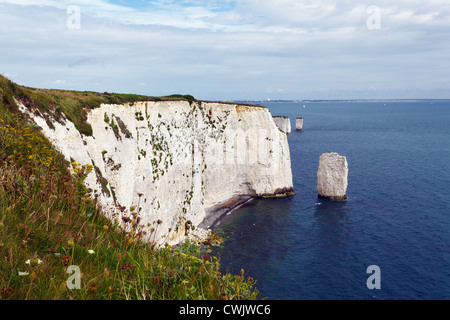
x=231 y=49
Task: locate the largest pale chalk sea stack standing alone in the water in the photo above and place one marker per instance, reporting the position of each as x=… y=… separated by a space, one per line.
x=332 y=177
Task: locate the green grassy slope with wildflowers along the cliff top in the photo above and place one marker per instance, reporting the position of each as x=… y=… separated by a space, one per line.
x=48 y=221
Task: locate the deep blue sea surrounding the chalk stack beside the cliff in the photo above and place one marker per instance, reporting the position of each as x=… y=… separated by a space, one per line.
x=397 y=216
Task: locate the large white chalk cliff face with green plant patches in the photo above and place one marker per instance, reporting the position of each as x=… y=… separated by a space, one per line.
x=175 y=159
